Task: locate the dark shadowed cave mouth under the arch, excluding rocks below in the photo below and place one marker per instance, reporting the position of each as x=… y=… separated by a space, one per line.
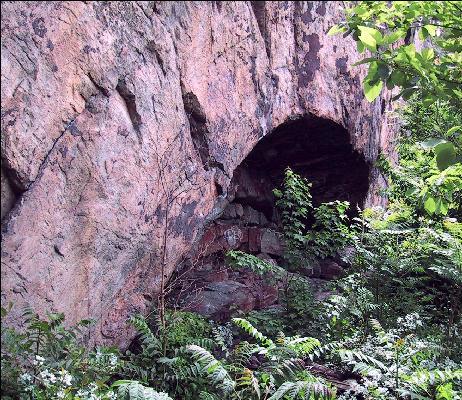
x=315 y=148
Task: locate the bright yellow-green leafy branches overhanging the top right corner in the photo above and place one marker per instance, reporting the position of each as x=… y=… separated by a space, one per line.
x=382 y=27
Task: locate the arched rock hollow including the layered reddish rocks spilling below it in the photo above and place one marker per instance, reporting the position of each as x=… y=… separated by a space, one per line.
x=316 y=148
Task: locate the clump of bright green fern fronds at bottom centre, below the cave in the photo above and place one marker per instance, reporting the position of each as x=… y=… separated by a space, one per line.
x=281 y=375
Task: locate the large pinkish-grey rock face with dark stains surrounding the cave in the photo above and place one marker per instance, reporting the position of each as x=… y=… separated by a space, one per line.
x=114 y=112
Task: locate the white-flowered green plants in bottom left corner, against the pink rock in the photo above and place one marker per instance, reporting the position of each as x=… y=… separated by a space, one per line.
x=47 y=361
